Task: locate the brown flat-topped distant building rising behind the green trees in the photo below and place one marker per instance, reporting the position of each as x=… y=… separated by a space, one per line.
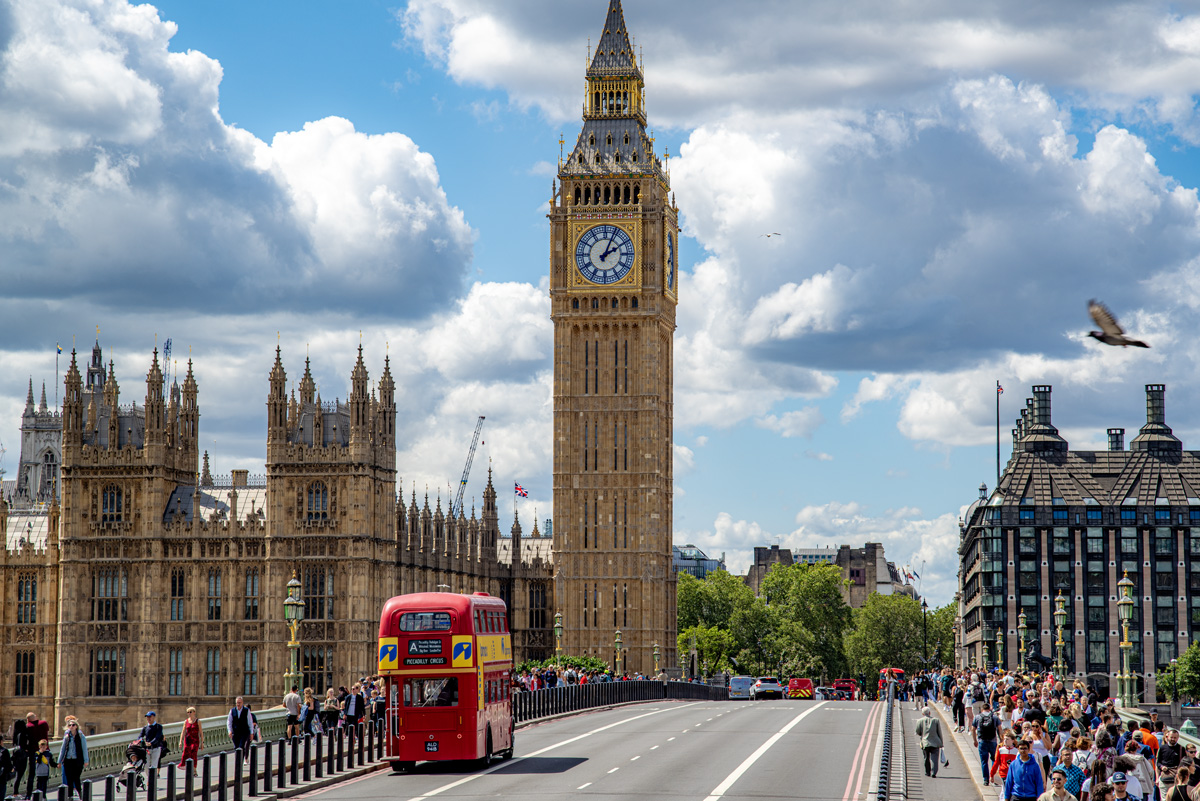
x=866 y=570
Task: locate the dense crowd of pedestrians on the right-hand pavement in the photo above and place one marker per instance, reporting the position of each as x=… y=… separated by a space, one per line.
x=1043 y=739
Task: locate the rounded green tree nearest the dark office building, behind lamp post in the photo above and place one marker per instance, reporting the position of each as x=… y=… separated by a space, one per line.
x=887 y=634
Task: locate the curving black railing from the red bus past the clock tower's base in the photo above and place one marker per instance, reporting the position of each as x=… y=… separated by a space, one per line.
x=571 y=698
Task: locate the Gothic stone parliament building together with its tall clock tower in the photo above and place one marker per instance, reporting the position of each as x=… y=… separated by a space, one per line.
x=134 y=579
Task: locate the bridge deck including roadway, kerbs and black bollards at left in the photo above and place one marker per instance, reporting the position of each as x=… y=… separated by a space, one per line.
x=689 y=743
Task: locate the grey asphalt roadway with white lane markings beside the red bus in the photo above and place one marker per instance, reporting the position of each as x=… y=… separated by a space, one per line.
x=676 y=750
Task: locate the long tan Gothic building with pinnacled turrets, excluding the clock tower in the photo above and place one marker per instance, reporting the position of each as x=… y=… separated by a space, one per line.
x=145 y=583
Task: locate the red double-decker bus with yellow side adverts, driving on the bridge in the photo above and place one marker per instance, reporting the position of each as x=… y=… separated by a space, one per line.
x=448 y=663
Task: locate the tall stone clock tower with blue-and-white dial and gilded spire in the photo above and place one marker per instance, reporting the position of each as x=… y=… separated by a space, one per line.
x=614 y=285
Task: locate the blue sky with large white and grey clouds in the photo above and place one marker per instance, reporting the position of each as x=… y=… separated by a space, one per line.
x=951 y=183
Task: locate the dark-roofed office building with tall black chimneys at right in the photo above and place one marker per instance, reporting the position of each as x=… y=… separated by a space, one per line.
x=1075 y=523
